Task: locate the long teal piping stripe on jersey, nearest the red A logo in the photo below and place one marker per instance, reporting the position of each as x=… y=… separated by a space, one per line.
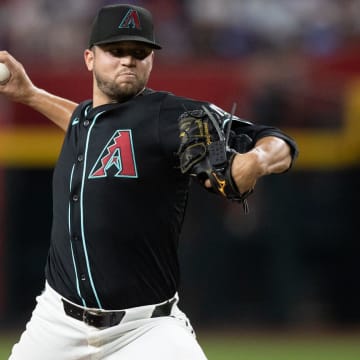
x=82 y=212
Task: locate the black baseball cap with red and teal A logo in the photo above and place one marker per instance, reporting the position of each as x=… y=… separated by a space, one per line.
x=122 y=22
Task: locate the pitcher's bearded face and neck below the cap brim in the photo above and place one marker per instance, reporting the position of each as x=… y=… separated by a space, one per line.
x=120 y=70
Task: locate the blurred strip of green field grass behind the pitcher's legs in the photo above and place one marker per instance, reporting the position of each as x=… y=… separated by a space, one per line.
x=263 y=346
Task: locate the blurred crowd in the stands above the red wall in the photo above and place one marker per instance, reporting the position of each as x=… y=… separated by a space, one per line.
x=55 y=31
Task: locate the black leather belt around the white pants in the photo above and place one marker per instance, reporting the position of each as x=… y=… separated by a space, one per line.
x=104 y=319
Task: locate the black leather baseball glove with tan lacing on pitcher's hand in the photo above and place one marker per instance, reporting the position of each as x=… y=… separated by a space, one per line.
x=205 y=154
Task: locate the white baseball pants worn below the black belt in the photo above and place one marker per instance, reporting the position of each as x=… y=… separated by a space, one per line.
x=52 y=335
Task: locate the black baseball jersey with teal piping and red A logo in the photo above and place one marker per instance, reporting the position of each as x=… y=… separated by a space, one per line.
x=119 y=200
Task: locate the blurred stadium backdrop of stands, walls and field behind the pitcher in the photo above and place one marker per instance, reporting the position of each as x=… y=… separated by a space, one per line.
x=279 y=283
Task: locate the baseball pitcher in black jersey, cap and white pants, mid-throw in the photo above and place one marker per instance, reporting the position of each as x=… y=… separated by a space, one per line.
x=112 y=271
